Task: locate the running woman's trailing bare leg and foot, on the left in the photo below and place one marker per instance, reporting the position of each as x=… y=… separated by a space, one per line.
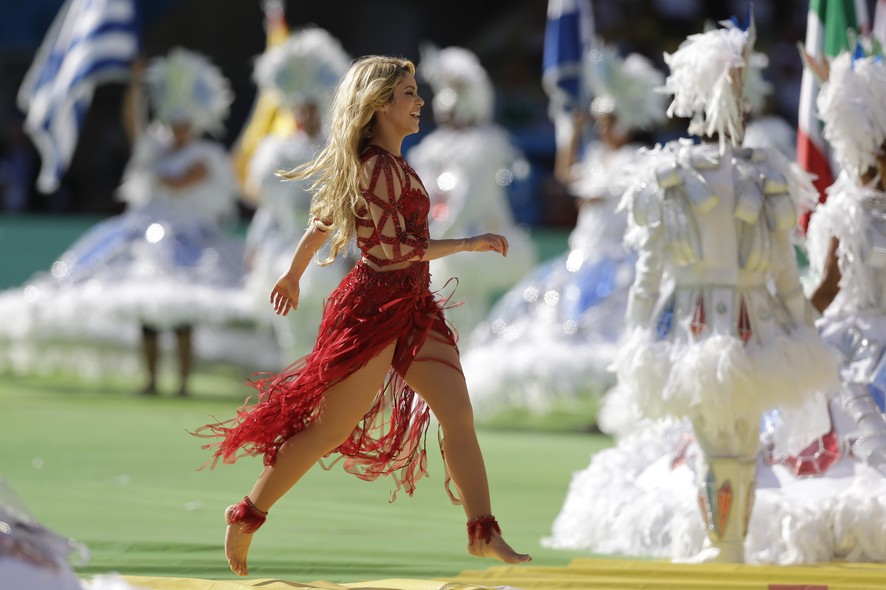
x=344 y=404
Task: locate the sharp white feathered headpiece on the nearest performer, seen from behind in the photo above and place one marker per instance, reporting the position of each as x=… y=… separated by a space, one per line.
x=715 y=80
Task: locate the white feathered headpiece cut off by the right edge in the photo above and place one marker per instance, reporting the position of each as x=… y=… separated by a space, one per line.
x=851 y=105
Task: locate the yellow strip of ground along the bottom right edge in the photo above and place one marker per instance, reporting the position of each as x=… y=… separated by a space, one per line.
x=599 y=574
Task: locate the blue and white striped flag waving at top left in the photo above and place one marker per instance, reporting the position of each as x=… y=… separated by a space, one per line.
x=89 y=42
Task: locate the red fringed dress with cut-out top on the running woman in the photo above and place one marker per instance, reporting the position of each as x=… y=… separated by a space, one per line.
x=368 y=311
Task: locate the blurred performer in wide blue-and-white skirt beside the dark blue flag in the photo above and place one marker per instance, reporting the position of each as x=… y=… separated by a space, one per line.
x=552 y=336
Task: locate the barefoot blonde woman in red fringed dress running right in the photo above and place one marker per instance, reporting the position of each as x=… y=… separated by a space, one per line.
x=383 y=336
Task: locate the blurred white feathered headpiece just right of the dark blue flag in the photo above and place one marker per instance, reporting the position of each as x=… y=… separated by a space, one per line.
x=625 y=88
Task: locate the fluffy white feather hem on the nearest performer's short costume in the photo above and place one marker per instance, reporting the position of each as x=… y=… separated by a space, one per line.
x=719 y=378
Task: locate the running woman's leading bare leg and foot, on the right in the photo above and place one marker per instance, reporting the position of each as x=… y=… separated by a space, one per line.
x=443 y=387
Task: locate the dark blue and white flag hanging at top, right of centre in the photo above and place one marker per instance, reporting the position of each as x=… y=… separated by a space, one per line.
x=568 y=37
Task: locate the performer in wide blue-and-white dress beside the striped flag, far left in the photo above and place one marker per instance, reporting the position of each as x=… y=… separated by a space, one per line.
x=167 y=262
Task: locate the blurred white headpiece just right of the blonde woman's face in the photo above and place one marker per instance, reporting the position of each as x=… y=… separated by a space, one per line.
x=462 y=89
